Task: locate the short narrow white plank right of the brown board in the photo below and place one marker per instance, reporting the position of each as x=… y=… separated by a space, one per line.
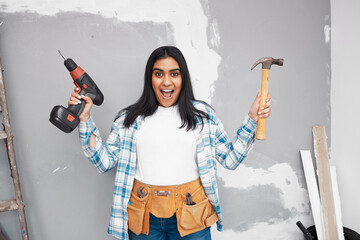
x=337 y=203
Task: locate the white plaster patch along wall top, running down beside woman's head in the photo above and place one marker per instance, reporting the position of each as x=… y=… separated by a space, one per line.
x=187 y=18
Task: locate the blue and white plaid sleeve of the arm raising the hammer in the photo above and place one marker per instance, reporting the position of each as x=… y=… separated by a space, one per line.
x=231 y=153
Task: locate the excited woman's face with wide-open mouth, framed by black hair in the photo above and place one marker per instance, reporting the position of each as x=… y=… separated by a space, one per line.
x=166 y=81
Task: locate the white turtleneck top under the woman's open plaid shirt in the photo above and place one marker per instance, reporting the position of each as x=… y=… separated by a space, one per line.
x=166 y=154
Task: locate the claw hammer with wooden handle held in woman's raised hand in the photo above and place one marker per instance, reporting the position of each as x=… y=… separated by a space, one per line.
x=266 y=65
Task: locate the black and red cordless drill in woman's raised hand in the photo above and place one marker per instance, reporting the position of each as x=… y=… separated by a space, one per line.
x=67 y=119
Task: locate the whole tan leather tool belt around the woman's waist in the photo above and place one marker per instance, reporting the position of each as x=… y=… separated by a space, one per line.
x=164 y=201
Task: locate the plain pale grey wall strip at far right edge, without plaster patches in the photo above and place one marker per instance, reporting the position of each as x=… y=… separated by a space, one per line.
x=345 y=51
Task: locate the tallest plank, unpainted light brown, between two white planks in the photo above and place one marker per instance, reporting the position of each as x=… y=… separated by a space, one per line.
x=327 y=202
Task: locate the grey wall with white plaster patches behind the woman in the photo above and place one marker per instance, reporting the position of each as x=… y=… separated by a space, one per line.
x=66 y=198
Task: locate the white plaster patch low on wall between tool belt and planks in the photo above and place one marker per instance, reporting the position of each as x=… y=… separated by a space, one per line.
x=294 y=197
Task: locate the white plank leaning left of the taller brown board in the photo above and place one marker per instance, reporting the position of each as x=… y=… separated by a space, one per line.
x=313 y=191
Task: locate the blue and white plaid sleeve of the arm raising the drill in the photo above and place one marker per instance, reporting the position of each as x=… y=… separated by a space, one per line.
x=104 y=155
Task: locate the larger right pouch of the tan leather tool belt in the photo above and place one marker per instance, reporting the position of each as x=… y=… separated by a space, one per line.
x=196 y=217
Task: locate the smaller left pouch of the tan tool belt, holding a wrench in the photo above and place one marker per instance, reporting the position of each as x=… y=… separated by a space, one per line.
x=136 y=213
